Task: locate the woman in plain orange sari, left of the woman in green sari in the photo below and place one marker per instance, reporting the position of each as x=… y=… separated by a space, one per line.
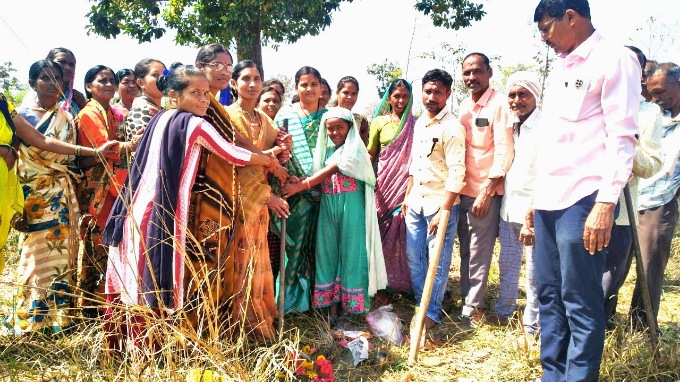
x=254 y=292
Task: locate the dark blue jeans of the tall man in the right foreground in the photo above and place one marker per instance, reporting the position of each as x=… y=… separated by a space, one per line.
x=571 y=301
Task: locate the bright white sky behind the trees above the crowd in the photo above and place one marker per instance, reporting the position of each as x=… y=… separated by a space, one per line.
x=363 y=32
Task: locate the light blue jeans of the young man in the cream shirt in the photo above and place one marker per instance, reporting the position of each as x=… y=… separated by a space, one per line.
x=419 y=248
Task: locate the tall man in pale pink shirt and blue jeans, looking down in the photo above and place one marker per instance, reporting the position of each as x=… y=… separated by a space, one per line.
x=583 y=162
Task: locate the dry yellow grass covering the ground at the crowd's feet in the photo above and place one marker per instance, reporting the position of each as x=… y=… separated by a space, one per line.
x=484 y=354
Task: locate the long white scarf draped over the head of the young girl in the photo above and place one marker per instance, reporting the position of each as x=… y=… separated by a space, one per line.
x=352 y=160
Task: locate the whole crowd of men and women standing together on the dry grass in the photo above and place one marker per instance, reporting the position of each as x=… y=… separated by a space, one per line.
x=166 y=189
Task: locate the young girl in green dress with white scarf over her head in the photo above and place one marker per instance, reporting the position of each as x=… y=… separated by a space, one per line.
x=349 y=261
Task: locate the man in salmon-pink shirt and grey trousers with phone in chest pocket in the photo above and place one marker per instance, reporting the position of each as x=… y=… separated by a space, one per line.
x=488 y=155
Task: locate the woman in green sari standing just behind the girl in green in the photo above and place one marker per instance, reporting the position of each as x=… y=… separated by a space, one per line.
x=303 y=119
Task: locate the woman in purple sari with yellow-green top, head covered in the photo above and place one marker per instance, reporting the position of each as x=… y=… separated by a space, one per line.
x=389 y=144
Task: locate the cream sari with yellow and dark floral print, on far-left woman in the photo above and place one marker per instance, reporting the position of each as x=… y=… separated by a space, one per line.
x=46 y=270
